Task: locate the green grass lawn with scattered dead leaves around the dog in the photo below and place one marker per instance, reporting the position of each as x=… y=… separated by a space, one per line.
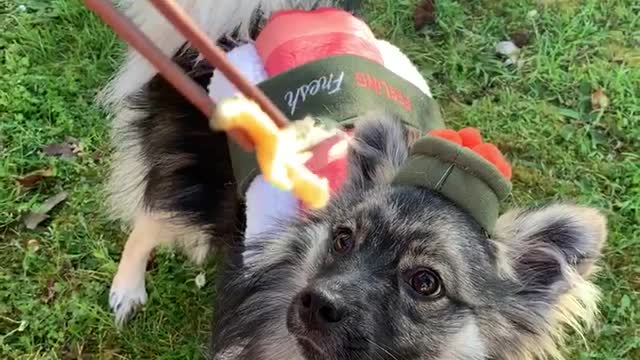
x=54 y=56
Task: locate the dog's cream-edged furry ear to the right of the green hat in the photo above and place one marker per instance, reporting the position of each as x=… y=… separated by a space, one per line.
x=542 y=244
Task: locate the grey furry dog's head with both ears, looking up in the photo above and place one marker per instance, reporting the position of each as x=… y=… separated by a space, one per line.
x=400 y=272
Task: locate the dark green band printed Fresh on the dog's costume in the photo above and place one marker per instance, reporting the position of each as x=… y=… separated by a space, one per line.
x=336 y=90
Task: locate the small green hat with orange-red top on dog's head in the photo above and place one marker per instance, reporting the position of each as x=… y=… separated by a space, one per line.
x=472 y=174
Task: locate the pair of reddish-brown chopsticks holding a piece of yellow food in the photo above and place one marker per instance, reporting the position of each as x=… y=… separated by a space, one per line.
x=128 y=31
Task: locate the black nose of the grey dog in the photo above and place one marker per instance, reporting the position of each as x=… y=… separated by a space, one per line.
x=319 y=310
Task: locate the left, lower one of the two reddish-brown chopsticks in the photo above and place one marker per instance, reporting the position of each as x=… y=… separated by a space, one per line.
x=128 y=31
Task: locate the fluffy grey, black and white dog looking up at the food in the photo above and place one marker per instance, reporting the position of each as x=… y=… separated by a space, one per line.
x=385 y=271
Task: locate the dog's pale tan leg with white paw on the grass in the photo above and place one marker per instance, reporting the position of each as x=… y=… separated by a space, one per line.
x=128 y=286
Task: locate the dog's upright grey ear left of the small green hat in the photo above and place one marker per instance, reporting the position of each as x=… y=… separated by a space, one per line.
x=378 y=148
